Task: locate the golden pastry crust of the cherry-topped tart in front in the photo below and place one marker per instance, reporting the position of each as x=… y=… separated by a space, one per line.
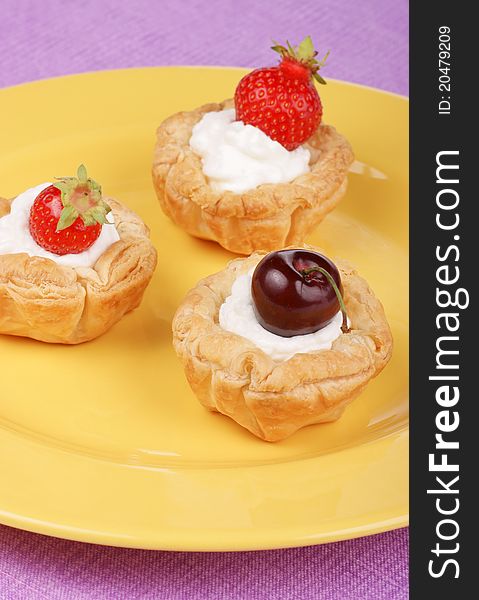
x=273 y=399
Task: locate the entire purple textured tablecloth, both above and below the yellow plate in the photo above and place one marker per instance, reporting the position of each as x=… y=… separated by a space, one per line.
x=45 y=38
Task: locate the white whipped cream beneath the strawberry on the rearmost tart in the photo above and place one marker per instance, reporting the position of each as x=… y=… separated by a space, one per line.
x=238 y=157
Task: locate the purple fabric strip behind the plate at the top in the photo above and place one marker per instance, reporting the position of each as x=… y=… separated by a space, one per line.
x=45 y=38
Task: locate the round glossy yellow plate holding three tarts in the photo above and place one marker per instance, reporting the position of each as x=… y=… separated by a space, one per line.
x=128 y=457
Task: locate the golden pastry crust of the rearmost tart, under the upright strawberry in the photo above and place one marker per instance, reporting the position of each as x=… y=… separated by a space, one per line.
x=268 y=217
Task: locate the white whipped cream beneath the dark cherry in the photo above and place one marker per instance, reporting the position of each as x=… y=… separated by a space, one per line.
x=237 y=315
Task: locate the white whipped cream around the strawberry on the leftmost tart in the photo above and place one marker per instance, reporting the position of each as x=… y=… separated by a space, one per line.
x=15 y=234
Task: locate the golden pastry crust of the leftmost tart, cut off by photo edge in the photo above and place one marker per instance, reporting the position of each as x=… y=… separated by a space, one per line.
x=46 y=301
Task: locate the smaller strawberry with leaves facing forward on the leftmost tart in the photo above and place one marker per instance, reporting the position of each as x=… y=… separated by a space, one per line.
x=67 y=217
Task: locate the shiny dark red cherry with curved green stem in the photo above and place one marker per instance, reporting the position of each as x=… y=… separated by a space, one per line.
x=293 y=296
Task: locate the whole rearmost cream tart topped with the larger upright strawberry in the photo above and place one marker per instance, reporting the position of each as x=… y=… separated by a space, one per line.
x=266 y=178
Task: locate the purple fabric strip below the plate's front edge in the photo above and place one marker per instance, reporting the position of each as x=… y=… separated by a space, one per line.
x=36 y=567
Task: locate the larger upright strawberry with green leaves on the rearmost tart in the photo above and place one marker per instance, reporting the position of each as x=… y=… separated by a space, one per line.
x=282 y=101
